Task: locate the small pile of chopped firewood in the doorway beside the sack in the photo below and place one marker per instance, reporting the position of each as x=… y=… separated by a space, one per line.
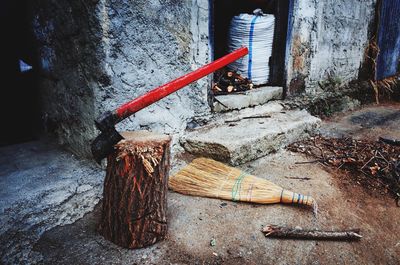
x=230 y=82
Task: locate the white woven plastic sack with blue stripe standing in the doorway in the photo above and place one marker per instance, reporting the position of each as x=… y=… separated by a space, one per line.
x=256 y=32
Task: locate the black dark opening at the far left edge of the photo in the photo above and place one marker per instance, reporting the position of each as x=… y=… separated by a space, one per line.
x=19 y=100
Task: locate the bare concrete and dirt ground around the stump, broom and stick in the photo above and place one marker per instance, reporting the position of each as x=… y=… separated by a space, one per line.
x=50 y=206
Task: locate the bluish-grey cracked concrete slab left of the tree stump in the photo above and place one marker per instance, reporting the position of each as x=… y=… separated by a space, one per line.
x=41 y=187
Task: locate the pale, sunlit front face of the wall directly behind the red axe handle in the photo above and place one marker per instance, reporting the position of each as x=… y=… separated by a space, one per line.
x=149 y=43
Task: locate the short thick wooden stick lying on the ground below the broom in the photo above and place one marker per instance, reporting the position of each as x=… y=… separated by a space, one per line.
x=298 y=233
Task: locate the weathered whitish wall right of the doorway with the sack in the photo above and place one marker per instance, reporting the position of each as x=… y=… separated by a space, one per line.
x=328 y=38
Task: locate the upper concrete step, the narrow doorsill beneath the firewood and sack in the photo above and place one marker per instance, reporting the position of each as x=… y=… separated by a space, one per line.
x=247 y=99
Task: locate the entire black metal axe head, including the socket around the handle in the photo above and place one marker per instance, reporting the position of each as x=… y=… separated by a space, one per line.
x=103 y=144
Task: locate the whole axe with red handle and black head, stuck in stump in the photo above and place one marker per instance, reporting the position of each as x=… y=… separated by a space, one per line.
x=103 y=144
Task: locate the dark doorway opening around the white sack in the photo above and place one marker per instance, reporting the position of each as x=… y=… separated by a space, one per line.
x=224 y=10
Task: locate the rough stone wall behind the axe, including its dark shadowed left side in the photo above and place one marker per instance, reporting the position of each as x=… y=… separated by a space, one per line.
x=97 y=55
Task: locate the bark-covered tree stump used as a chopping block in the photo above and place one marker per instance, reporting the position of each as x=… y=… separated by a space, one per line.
x=135 y=189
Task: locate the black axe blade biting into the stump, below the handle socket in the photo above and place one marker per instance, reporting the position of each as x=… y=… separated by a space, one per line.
x=103 y=145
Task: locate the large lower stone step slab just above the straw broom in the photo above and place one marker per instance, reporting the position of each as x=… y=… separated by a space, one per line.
x=244 y=139
